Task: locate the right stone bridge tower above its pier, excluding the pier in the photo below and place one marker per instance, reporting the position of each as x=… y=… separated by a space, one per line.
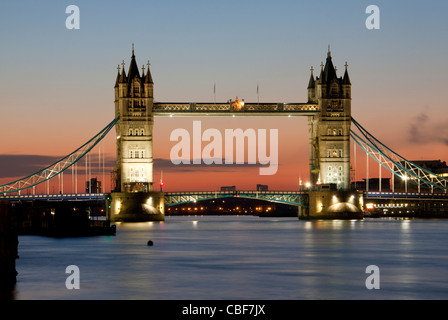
x=329 y=131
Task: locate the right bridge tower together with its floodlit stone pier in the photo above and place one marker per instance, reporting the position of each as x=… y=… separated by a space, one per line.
x=329 y=134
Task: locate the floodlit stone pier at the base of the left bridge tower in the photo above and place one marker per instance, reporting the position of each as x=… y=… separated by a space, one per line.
x=137 y=206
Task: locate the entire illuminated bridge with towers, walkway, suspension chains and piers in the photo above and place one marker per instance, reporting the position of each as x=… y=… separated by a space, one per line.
x=328 y=111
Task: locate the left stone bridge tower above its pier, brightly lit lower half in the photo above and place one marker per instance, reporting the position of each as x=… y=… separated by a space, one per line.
x=133 y=104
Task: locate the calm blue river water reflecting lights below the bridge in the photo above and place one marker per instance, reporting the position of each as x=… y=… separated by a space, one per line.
x=242 y=257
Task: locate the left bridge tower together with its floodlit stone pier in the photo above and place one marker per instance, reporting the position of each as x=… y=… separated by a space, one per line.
x=133 y=198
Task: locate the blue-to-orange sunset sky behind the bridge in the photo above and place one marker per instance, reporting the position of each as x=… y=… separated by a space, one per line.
x=57 y=85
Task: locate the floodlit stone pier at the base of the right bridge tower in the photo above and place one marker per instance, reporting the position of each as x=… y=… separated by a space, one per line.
x=333 y=204
